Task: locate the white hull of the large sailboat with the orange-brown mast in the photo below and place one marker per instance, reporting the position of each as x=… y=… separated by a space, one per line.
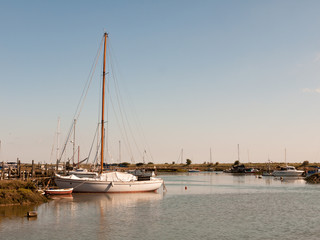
x=99 y=186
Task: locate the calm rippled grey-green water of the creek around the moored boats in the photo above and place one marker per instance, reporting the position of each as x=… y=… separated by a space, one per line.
x=214 y=206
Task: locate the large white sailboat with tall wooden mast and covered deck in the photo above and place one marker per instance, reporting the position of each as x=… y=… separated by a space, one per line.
x=107 y=182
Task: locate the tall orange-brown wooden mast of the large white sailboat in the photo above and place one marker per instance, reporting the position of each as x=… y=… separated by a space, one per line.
x=103 y=92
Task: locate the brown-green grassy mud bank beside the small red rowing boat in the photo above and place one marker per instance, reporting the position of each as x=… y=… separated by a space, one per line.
x=15 y=192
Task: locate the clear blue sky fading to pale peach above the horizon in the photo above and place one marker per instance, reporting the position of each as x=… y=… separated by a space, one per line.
x=196 y=75
